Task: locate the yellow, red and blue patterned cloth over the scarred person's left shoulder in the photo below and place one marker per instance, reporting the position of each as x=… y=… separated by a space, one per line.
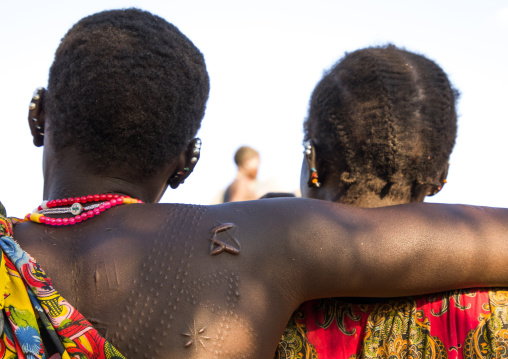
x=31 y=309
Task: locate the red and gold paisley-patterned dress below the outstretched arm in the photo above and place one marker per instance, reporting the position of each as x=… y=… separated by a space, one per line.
x=455 y=324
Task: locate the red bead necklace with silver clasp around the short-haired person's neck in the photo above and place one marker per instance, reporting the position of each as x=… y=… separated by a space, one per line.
x=98 y=204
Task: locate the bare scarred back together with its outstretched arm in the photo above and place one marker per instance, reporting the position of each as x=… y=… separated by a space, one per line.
x=145 y=275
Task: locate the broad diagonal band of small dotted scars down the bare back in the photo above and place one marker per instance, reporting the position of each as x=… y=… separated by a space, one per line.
x=157 y=287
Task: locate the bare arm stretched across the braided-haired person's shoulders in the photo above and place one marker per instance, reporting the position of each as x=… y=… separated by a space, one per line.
x=323 y=249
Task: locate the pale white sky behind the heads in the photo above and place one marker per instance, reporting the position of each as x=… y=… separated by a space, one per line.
x=264 y=59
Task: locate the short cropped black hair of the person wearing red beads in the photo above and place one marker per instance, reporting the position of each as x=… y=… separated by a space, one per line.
x=126 y=86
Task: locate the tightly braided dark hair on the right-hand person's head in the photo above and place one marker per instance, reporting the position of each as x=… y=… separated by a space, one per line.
x=385 y=119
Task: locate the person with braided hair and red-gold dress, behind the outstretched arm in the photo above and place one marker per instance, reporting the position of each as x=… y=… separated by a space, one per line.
x=381 y=127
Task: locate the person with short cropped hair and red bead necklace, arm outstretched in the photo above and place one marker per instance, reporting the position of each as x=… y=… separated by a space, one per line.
x=126 y=95
